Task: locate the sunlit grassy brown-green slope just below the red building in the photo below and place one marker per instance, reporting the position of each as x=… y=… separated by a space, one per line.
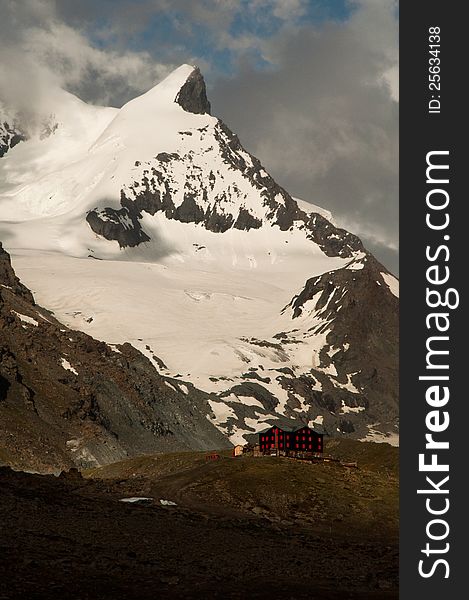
x=326 y=497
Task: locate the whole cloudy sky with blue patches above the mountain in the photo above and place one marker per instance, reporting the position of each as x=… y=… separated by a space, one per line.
x=310 y=86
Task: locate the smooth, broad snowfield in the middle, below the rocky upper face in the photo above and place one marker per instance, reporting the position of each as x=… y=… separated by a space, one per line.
x=195 y=313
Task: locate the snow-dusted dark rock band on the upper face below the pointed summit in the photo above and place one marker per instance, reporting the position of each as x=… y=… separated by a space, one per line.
x=160 y=183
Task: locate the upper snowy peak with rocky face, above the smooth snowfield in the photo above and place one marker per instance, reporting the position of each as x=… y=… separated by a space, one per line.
x=123 y=174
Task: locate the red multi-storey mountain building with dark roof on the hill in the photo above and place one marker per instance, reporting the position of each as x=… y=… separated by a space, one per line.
x=302 y=439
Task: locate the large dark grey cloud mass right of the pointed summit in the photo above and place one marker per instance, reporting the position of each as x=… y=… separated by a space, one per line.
x=324 y=121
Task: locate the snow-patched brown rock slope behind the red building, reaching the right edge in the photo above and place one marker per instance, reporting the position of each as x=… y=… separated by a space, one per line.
x=352 y=387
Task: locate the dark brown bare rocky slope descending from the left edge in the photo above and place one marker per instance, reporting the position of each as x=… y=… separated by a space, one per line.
x=67 y=399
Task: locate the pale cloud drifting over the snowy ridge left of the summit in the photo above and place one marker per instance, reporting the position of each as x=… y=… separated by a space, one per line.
x=41 y=54
